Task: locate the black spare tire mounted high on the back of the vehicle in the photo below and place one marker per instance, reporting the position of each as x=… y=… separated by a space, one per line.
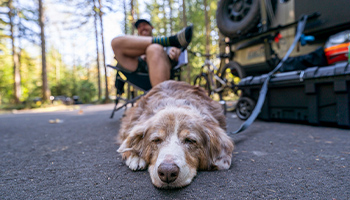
x=237 y=17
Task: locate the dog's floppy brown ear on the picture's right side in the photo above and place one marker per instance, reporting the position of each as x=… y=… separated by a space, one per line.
x=220 y=148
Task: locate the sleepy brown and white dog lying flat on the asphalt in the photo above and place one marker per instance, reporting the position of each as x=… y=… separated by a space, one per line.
x=175 y=130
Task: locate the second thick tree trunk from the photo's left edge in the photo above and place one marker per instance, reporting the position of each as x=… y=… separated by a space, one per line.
x=45 y=86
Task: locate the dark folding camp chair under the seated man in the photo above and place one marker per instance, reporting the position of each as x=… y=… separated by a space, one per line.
x=140 y=81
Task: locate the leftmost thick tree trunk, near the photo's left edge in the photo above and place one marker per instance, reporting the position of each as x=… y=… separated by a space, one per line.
x=15 y=58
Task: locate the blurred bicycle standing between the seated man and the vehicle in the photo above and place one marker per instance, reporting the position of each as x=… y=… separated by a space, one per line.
x=220 y=81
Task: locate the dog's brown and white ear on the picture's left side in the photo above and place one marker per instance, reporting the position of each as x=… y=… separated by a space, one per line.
x=133 y=142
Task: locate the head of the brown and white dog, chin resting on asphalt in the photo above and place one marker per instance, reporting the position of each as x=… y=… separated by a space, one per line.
x=176 y=142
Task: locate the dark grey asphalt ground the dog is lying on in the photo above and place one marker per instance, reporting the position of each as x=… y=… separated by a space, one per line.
x=76 y=159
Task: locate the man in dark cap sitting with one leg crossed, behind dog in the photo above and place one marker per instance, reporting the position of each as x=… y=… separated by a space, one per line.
x=145 y=53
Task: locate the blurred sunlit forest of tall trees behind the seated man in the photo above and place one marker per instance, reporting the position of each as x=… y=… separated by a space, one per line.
x=61 y=47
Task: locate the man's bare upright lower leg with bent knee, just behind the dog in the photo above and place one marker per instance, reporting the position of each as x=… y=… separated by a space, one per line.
x=158 y=64
